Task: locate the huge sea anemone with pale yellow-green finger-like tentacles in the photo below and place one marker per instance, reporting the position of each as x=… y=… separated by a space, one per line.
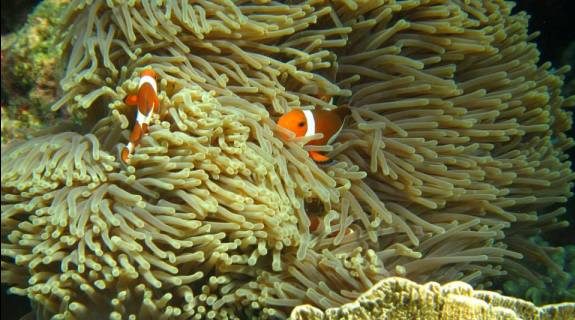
x=453 y=156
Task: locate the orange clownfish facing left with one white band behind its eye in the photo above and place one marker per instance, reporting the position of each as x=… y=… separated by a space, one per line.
x=305 y=123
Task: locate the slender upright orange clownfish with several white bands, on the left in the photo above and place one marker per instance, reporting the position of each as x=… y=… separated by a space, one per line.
x=148 y=104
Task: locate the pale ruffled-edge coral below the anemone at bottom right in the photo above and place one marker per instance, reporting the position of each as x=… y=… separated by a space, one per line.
x=398 y=298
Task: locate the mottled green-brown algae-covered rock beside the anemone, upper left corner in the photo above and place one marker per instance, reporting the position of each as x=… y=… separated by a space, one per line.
x=30 y=59
